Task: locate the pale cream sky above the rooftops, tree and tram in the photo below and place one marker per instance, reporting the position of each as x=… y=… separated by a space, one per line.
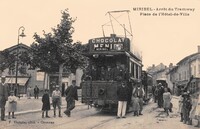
x=159 y=39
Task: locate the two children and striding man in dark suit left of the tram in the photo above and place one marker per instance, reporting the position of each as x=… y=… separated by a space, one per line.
x=71 y=96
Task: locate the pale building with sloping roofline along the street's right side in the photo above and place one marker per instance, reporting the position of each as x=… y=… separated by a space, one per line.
x=185 y=68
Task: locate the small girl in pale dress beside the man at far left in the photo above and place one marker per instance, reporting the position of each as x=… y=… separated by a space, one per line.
x=12 y=105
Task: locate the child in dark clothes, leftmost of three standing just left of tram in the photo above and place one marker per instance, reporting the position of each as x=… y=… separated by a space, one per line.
x=45 y=103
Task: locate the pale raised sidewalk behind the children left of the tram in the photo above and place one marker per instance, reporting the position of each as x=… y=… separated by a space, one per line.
x=32 y=105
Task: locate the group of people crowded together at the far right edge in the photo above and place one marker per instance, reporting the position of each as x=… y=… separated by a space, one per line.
x=189 y=107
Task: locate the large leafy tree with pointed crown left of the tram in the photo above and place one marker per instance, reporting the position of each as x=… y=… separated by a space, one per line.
x=56 y=50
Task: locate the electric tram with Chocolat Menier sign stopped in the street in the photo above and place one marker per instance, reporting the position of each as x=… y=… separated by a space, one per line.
x=100 y=83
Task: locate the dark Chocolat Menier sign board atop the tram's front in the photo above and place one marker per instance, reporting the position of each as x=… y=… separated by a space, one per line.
x=107 y=44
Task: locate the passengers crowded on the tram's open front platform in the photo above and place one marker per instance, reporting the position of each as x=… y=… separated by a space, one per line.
x=104 y=73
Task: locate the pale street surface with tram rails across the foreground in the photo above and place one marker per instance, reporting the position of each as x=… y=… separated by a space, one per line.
x=84 y=118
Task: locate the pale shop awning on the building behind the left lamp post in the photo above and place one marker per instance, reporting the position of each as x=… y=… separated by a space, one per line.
x=20 y=80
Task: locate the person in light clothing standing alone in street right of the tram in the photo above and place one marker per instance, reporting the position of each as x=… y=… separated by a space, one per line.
x=167 y=100
